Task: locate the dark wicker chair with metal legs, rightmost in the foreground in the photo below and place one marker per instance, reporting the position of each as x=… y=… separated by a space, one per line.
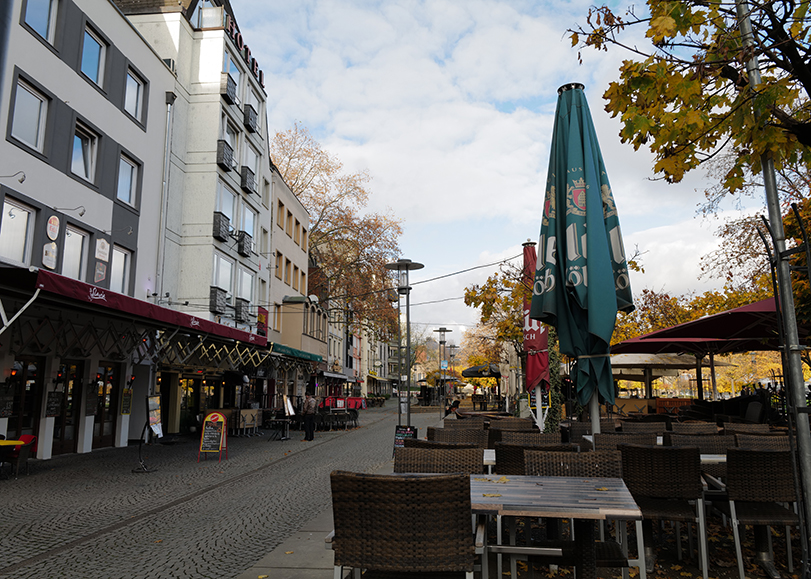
x=757 y=481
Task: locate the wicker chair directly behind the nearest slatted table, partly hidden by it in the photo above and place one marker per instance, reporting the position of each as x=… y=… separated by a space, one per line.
x=588 y=464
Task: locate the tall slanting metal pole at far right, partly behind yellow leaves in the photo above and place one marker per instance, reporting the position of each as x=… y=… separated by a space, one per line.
x=791 y=356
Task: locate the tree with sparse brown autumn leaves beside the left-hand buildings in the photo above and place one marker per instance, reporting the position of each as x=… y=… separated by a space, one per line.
x=348 y=245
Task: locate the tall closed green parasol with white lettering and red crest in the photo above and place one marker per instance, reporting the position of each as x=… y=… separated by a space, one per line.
x=581 y=280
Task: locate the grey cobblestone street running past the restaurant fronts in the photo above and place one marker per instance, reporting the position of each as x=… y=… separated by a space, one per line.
x=89 y=516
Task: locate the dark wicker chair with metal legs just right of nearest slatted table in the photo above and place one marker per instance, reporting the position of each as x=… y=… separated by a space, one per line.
x=664 y=480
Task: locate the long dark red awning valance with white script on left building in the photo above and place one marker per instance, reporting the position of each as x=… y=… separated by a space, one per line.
x=83 y=292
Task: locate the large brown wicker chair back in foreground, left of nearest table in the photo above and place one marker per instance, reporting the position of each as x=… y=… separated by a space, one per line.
x=374 y=517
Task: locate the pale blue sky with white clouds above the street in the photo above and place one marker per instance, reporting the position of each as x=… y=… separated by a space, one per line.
x=449 y=106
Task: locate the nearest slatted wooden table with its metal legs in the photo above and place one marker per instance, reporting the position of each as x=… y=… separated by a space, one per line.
x=583 y=500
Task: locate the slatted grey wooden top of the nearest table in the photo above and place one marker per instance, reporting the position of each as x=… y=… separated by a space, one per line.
x=557 y=497
